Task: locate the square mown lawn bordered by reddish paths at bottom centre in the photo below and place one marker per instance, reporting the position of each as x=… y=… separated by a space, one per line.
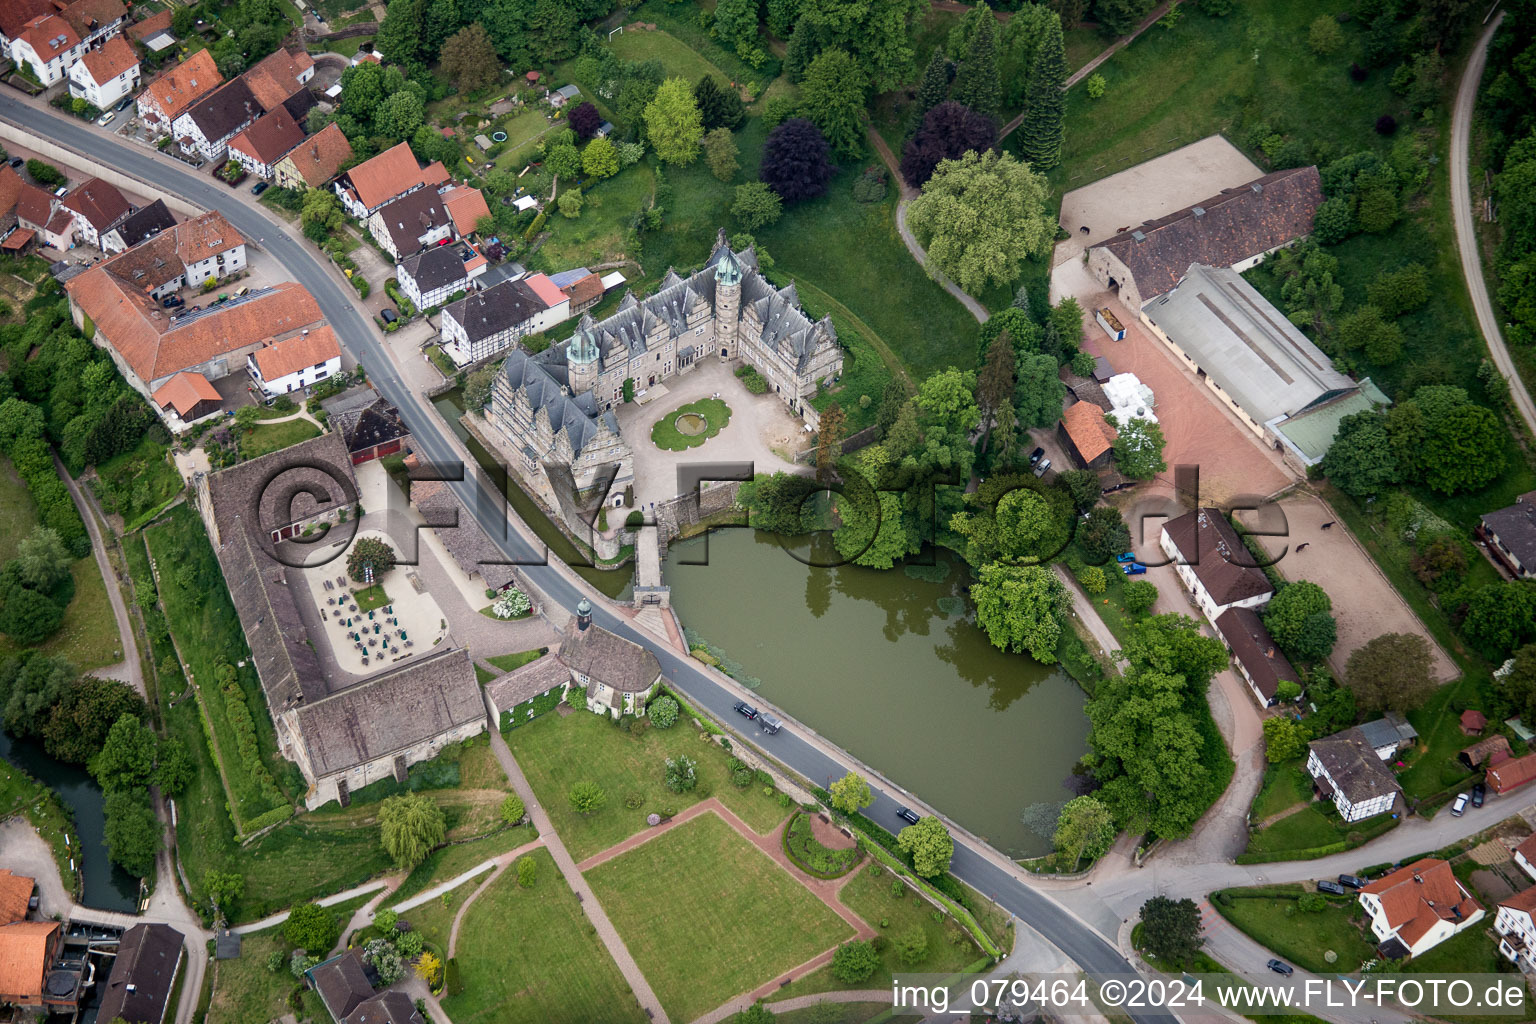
x=738 y=922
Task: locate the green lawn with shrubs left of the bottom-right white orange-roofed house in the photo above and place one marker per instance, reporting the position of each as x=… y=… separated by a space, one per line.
x=1302 y=928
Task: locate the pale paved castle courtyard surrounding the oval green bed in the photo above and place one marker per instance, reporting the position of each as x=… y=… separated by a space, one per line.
x=761 y=432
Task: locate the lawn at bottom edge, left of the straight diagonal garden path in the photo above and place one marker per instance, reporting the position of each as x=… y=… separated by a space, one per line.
x=531 y=956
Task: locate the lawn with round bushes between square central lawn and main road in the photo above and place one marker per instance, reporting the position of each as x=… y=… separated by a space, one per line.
x=872 y=897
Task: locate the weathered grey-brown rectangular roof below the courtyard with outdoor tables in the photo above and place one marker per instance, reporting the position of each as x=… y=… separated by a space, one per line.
x=391 y=713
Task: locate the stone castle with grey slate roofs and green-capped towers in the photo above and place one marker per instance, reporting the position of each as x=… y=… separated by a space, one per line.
x=555 y=409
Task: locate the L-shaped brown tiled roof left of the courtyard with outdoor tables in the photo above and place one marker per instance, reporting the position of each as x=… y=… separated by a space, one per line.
x=308 y=478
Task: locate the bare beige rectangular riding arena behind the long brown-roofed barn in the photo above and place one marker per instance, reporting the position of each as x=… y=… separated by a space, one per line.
x=1148 y=191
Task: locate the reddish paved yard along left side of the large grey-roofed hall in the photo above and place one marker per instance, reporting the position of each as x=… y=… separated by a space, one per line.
x=1197 y=428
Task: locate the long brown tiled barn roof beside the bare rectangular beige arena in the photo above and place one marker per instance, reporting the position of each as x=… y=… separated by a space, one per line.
x=1220 y=231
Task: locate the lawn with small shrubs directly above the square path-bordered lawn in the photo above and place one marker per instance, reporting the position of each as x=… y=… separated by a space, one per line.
x=557 y=753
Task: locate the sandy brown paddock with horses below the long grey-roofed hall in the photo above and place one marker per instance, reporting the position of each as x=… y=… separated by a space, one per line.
x=1365 y=604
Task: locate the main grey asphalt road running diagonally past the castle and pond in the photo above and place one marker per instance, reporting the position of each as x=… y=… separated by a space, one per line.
x=1044 y=914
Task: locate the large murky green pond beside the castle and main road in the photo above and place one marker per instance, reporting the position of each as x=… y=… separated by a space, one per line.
x=895 y=670
